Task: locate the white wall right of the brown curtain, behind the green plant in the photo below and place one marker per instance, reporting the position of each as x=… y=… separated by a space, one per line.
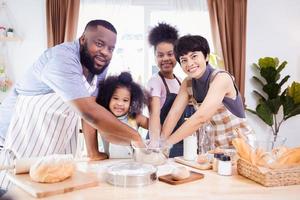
x=273 y=30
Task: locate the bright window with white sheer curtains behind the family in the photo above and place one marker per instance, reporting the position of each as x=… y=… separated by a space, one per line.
x=133 y=21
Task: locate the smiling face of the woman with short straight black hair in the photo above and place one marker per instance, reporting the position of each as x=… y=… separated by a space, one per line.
x=193 y=64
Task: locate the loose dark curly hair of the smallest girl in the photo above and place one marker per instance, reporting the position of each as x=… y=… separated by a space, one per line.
x=139 y=96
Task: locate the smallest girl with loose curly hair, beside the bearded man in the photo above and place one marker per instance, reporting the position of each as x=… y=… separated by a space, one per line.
x=125 y=99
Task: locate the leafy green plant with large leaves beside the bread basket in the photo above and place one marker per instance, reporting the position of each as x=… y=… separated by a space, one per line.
x=275 y=104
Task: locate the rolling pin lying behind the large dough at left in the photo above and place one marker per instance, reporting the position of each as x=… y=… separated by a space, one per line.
x=20 y=166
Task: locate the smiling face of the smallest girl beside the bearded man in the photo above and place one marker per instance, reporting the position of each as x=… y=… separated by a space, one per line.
x=120 y=101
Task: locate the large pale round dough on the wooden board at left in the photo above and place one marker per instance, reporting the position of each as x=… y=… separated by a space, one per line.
x=52 y=169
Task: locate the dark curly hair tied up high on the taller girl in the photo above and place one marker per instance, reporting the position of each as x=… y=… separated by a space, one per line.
x=162 y=33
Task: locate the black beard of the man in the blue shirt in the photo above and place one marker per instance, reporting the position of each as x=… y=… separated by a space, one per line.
x=87 y=61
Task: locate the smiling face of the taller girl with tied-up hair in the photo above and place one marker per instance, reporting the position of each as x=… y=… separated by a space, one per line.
x=165 y=57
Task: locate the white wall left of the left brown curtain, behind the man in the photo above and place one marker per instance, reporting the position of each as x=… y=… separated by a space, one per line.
x=28 y=18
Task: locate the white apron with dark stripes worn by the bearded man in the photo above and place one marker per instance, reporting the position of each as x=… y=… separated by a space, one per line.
x=41 y=125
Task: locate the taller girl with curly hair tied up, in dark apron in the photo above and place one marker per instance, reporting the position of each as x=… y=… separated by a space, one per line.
x=164 y=85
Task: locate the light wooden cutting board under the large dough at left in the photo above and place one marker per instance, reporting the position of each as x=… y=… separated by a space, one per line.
x=79 y=180
